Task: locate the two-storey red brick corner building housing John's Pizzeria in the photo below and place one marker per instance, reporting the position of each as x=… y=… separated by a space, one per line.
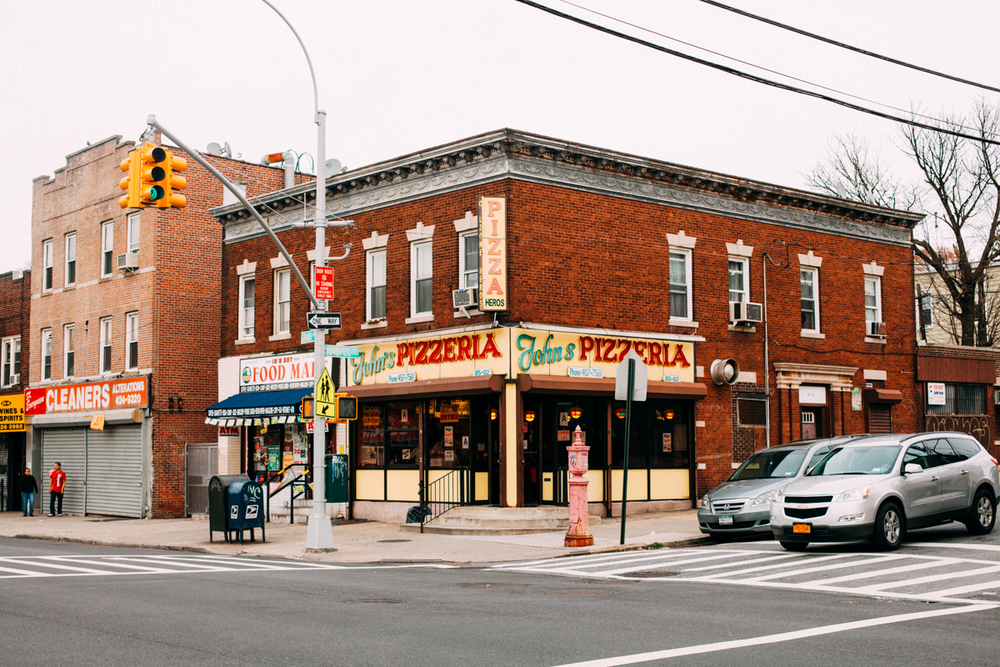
x=729 y=290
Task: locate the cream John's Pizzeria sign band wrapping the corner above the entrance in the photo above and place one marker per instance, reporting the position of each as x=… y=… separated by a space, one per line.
x=514 y=351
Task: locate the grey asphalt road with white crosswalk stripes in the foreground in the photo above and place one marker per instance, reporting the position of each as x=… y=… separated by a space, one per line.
x=67 y=604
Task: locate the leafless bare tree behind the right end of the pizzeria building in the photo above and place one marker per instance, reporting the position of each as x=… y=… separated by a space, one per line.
x=961 y=184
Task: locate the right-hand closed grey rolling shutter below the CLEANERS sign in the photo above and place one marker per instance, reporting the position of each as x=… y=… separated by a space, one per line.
x=114 y=471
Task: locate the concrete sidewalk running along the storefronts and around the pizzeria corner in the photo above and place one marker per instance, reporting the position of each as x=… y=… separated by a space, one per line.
x=355 y=542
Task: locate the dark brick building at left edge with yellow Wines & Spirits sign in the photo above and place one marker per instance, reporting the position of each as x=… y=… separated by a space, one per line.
x=15 y=310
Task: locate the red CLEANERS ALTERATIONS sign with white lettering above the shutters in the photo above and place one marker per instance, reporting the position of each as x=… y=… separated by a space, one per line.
x=110 y=395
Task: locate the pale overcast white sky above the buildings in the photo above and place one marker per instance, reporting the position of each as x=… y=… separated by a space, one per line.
x=400 y=76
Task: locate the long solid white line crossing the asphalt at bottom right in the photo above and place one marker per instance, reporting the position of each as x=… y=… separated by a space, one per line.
x=776 y=638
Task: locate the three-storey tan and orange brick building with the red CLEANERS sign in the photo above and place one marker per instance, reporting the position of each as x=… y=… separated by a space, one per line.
x=124 y=318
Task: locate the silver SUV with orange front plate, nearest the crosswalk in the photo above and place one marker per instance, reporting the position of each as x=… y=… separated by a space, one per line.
x=879 y=487
